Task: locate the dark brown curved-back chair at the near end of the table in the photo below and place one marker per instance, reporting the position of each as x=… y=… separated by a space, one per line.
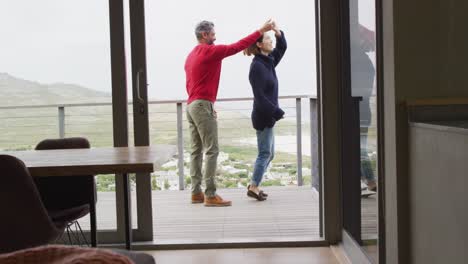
x=25 y=222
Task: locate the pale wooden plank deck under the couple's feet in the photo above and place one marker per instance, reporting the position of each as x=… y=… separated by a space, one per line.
x=289 y=214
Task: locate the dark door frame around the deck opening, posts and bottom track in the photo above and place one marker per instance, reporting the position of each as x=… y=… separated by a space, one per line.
x=329 y=89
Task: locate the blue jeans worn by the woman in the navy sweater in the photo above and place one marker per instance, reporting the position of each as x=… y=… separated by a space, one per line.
x=266 y=152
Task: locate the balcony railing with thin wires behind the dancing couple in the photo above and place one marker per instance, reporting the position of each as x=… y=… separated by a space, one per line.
x=24 y=126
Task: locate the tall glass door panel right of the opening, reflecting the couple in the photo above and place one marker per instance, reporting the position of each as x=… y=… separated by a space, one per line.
x=360 y=176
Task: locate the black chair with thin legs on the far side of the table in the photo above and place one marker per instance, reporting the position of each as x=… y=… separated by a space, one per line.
x=69 y=198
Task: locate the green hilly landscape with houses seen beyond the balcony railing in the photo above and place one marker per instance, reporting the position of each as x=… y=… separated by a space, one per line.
x=22 y=128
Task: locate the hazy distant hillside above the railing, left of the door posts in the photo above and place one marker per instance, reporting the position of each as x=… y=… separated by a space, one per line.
x=17 y=91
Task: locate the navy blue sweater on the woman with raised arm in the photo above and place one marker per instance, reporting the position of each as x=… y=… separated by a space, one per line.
x=262 y=77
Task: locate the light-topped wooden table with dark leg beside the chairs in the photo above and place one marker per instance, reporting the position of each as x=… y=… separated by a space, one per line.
x=113 y=160
